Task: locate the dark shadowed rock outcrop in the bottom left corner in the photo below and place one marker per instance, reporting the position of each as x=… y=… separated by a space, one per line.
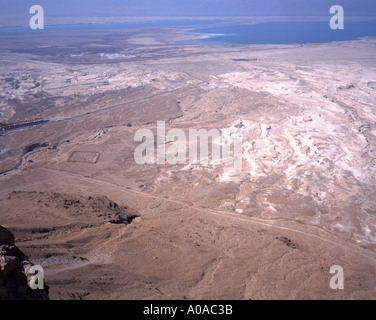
x=14 y=272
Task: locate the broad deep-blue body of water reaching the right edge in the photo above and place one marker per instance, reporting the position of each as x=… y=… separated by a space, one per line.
x=284 y=33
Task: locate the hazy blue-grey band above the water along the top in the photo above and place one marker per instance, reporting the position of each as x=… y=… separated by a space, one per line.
x=76 y=8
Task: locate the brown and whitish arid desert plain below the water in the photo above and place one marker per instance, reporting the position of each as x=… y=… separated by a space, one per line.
x=104 y=227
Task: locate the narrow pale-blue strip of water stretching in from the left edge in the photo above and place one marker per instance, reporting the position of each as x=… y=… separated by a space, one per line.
x=111 y=26
